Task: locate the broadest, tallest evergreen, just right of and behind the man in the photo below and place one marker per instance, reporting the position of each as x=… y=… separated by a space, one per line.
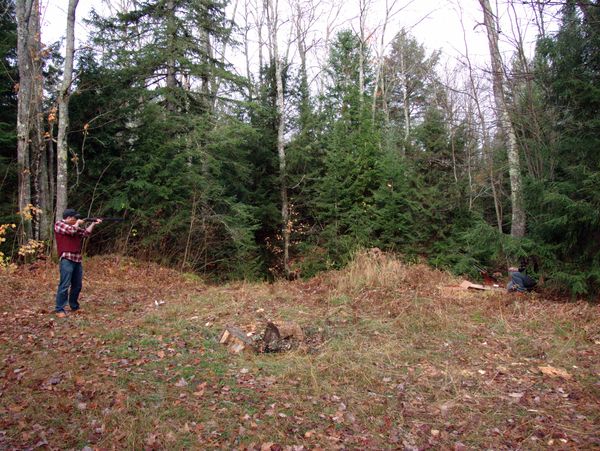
x=181 y=159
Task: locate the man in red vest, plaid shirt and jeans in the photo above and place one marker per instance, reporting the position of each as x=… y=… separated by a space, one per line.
x=69 y=240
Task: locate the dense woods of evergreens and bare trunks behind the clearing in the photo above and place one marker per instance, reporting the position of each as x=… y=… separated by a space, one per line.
x=238 y=142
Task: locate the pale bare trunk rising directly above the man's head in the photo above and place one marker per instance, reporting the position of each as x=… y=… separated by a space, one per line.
x=63 y=114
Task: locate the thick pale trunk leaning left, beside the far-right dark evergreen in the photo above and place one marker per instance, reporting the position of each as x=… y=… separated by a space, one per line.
x=514 y=167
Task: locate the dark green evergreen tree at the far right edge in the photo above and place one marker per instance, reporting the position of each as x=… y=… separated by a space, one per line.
x=564 y=203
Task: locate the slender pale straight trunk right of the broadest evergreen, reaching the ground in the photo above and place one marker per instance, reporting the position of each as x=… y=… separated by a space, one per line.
x=272 y=22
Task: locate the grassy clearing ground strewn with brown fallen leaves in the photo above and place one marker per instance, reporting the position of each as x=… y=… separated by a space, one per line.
x=395 y=358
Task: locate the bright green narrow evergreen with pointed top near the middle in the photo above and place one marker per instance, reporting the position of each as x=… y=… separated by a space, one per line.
x=352 y=158
